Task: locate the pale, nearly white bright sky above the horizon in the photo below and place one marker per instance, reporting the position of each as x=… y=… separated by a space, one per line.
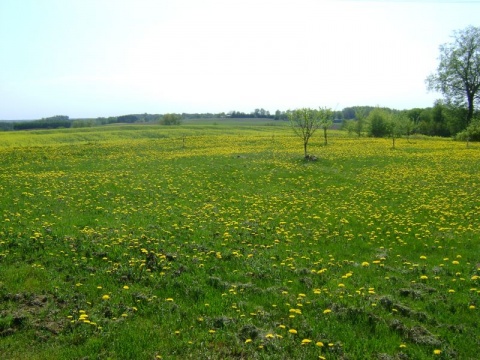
x=101 y=58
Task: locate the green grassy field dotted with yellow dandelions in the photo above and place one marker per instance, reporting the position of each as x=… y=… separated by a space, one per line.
x=218 y=241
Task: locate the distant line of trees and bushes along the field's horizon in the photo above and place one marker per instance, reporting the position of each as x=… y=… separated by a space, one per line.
x=443 y=119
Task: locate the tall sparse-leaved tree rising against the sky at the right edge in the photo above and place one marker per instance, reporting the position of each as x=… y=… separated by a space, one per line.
x=458 y=74
